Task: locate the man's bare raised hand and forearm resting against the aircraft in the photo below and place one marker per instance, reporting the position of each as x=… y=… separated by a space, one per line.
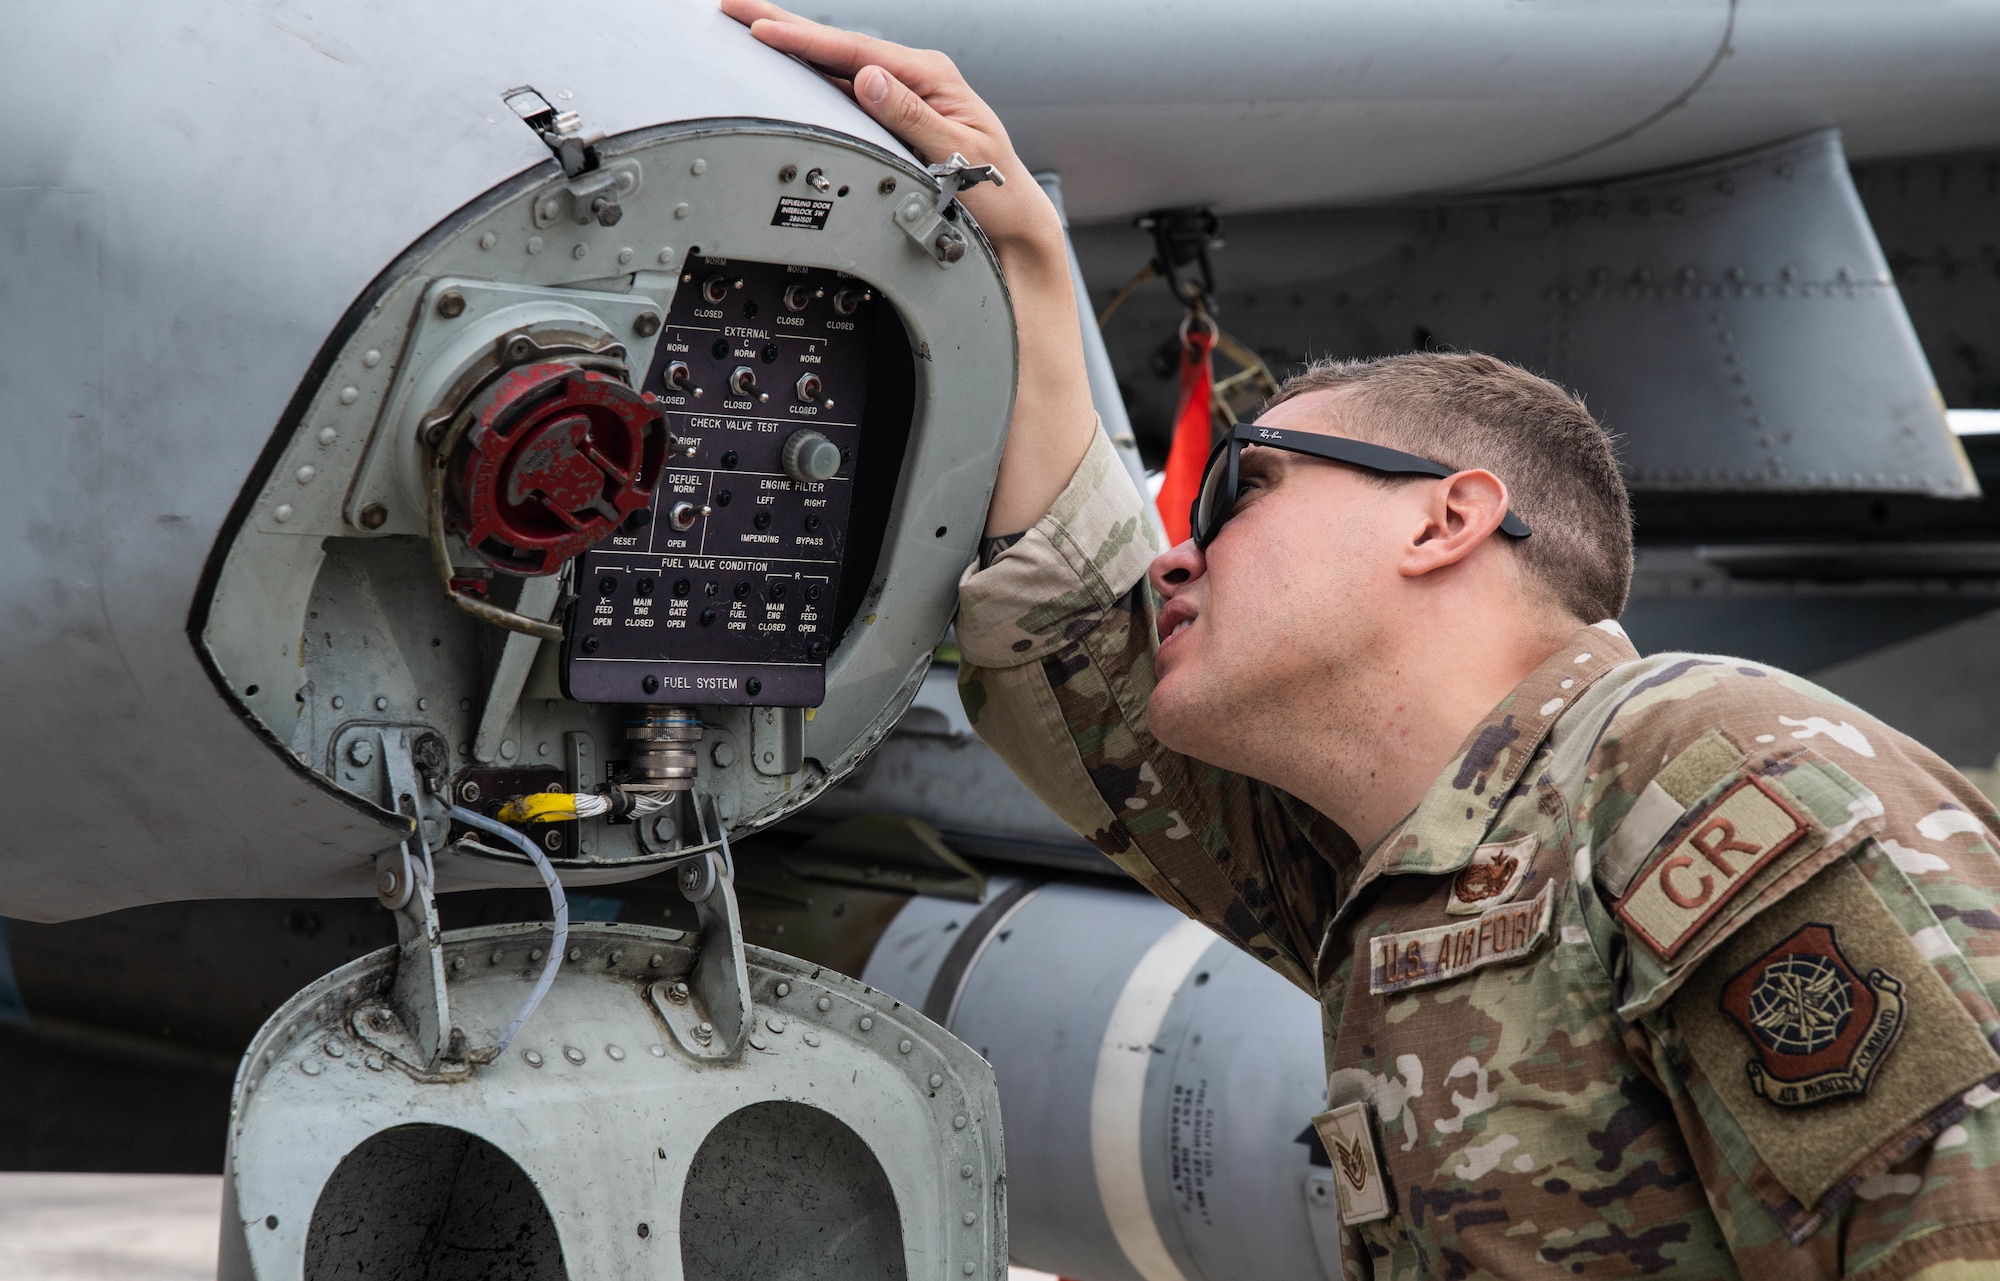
x=921 y=97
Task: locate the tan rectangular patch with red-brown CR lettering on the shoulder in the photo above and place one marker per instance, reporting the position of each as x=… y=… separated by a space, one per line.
x=1719 y=854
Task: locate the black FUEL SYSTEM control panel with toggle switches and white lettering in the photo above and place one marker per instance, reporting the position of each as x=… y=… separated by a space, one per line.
x=725 y=589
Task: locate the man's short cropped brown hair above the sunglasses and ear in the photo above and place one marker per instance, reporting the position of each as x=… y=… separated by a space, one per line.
x=1471 y=411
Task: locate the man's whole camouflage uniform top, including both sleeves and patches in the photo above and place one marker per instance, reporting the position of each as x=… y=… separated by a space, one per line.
x=1683 y=968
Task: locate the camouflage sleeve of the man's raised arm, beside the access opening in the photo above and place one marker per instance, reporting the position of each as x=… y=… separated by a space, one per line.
x=1057 y=642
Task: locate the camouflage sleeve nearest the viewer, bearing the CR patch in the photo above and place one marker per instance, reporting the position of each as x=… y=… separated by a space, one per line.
x=1799 y=908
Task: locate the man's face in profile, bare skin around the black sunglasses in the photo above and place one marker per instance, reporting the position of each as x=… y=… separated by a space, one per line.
x=1295 y=587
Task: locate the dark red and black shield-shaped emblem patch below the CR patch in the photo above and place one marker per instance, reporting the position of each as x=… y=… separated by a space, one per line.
x=1817 y=1026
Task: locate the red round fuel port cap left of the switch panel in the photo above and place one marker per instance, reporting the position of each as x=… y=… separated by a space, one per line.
x=553 y=463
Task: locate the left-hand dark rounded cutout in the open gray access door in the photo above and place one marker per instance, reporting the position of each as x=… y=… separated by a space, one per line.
x=431 y=1204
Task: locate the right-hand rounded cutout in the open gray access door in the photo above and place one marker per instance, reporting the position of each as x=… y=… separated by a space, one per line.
x=789 y=1190
